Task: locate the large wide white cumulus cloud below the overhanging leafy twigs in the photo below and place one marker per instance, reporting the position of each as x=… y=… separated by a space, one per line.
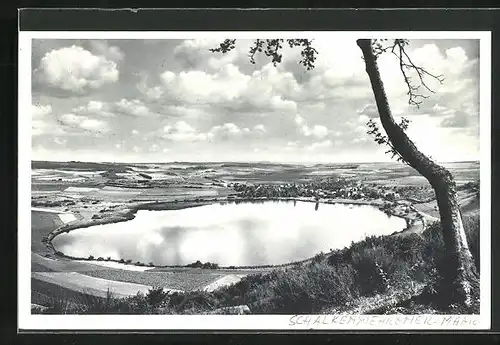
x=227 y=87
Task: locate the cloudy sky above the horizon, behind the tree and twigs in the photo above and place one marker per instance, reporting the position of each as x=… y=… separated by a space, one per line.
x=174 y=100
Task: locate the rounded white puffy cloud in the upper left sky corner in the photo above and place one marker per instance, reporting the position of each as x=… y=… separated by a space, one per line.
x=76 y=69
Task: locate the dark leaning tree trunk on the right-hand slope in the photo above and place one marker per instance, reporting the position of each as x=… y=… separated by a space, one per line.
x=461 y=272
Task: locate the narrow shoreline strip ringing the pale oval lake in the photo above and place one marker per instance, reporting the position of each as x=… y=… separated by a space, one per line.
x=128 y=212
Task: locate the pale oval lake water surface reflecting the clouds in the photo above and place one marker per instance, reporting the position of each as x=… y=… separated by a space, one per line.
x=248 y=233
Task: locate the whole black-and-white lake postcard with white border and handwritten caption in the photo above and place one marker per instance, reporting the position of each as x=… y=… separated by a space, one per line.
x=254 y=180
